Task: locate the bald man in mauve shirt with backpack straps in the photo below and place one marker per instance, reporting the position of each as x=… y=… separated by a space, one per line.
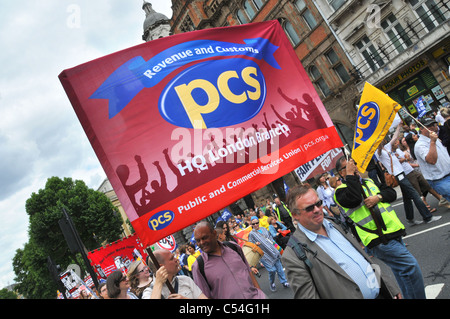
x=227 y=274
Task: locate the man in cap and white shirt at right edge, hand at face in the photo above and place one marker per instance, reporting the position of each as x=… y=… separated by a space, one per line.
x=433 y=158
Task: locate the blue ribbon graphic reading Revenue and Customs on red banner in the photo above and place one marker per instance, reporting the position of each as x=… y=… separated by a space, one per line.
x=136 y=74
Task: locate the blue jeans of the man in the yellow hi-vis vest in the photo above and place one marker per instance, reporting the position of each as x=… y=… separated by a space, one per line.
x=404 y=266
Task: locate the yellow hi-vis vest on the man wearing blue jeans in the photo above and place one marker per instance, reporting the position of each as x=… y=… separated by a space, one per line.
x=361 y=217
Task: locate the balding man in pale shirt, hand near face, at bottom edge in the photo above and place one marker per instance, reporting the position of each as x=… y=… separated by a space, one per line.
x=184 y=286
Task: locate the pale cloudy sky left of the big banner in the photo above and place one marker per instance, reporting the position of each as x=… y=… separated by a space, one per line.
x=40 y=135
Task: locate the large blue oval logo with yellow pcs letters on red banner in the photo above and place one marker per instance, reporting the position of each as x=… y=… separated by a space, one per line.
x=214 y=94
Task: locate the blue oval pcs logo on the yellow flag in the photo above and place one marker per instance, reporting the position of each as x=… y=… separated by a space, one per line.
x=367 y=122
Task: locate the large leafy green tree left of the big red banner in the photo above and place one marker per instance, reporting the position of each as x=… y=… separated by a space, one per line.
x=93 y=215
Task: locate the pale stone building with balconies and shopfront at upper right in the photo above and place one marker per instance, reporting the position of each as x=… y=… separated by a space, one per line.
x=400 y=46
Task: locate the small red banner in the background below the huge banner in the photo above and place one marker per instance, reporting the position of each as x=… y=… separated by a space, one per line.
x=116 y=256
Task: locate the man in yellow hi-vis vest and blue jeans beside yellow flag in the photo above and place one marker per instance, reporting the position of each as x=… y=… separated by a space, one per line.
x=378 y=227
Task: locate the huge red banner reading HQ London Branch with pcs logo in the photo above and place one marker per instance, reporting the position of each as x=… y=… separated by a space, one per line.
x=187 y=124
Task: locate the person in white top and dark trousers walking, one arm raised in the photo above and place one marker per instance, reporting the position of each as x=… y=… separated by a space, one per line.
x=386 y=156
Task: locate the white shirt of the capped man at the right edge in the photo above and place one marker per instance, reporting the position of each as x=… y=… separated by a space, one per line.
x=429 y=171
